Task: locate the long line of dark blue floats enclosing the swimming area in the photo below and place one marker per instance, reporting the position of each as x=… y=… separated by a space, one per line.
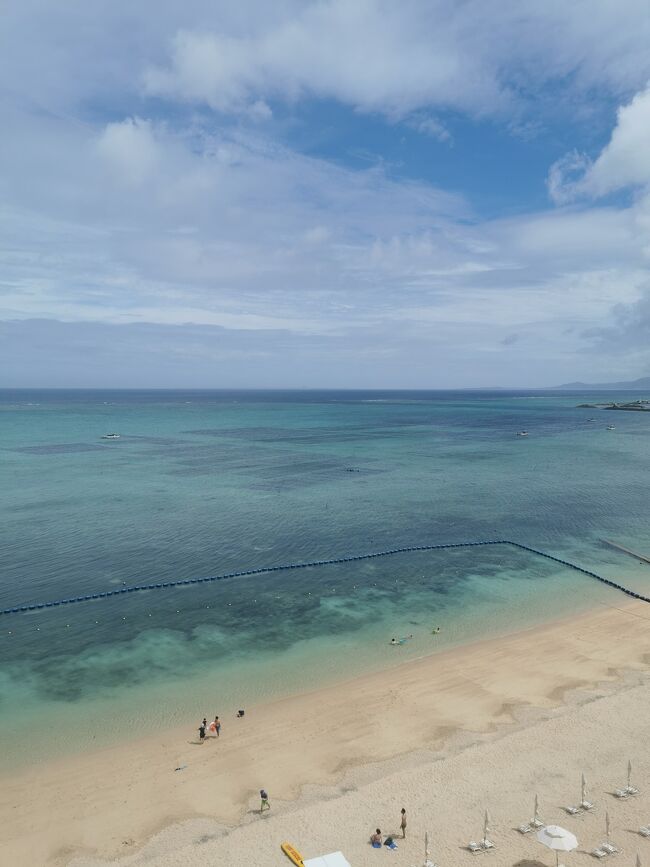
x=283 y=568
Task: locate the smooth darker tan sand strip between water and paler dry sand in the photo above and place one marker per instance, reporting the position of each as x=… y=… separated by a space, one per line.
x=103 y=804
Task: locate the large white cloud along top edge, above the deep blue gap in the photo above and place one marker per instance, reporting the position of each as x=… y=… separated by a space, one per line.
x=397 y=58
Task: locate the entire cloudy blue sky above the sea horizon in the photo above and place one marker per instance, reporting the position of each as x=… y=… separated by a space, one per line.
x=343 y=193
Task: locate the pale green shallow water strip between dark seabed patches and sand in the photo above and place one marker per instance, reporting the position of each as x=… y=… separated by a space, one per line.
x=114 y=718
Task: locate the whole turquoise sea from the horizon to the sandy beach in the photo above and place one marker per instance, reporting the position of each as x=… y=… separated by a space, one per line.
x=202 y=483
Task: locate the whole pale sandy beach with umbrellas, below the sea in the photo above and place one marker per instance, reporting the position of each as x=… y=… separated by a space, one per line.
x=486 y=725
